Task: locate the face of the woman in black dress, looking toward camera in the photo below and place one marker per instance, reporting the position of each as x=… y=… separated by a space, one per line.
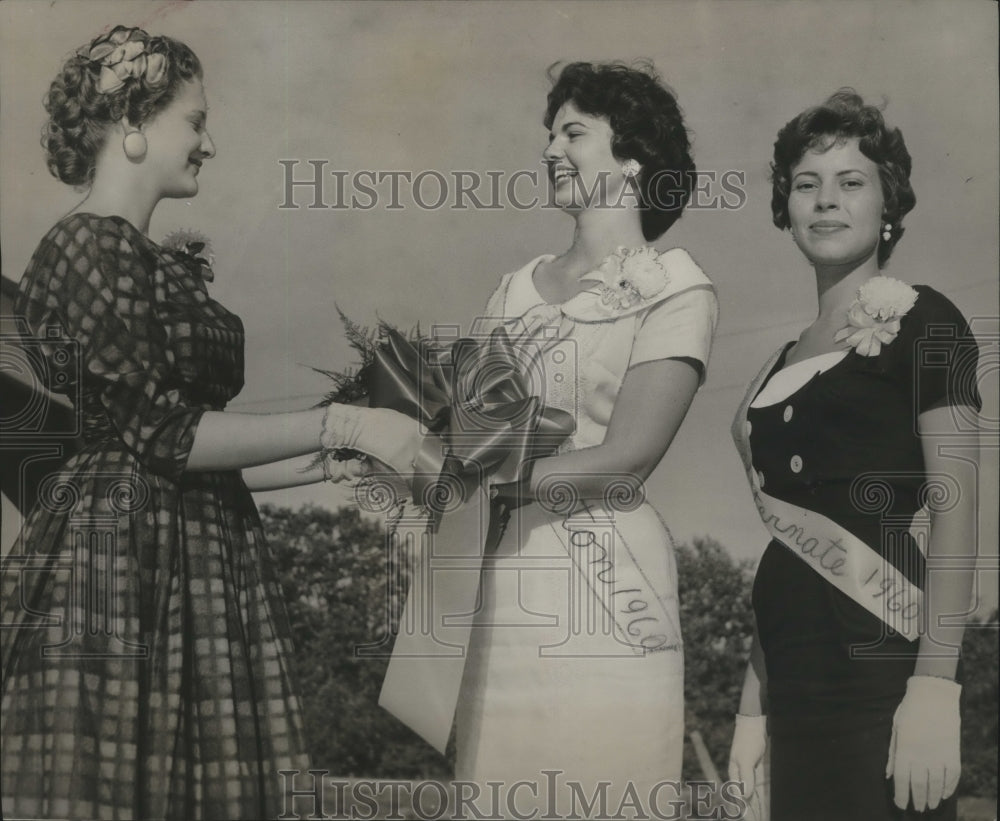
x=835 y=205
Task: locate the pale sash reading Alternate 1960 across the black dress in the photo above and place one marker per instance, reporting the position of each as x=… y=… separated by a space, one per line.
x=839 y=556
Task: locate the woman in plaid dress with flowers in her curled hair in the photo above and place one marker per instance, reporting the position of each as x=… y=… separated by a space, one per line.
x=145 y=650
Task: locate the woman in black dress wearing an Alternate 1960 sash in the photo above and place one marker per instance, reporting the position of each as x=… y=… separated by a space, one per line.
x=855 y=440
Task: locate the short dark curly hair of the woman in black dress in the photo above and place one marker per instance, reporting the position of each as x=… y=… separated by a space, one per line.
x=842 y=116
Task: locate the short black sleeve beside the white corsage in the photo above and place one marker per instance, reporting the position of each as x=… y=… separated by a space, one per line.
x=945 y=355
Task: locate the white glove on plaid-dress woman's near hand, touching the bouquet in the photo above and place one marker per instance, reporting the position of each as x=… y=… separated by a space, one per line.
x=387 y=435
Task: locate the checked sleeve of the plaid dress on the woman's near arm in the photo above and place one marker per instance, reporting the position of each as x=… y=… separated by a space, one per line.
x=89 y=283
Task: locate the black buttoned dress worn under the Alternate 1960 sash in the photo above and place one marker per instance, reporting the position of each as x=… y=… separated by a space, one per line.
x=845 y=445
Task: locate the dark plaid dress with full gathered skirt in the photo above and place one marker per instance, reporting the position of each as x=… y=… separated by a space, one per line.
x=145 y=643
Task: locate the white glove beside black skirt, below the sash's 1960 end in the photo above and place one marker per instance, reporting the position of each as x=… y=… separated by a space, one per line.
x=925 y=757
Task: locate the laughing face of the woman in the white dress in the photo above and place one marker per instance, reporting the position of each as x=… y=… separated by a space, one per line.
x=582 y=170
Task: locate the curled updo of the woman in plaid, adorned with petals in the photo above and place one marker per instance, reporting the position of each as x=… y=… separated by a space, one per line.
x=81 y=115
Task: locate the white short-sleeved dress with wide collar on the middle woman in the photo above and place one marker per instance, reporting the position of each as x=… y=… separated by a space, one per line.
x=576 y=662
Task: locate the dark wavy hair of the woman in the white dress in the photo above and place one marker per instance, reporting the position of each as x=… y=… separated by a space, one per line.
x=648 y=127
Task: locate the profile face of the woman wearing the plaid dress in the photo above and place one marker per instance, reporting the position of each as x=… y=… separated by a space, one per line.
x=178 y=142
